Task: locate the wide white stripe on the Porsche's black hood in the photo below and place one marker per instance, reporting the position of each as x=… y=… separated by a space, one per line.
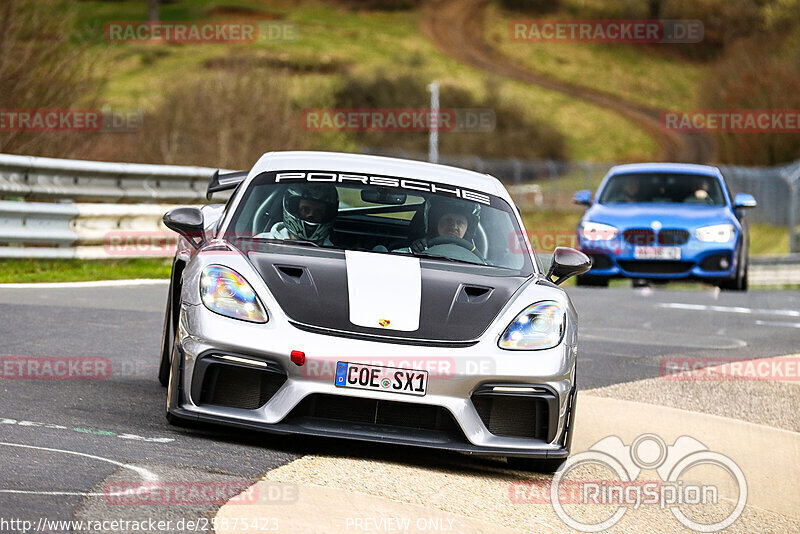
x=384 y=291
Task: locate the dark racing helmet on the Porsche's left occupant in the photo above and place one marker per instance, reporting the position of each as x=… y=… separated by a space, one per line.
x=304 y=229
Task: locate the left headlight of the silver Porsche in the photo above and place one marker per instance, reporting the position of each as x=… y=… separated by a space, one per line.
x=227 y=293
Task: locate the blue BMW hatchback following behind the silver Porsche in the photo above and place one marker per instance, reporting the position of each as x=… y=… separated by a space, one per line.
x=665 y=221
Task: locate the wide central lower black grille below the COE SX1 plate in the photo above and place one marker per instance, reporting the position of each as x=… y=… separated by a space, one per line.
x=372 y=411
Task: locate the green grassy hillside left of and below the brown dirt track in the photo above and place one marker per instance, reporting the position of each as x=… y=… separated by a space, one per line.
x=365 y=42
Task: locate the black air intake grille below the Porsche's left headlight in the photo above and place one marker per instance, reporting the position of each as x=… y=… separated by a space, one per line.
x=239 y=387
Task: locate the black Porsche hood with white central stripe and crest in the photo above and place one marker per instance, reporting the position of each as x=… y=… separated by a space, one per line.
x=386 y=295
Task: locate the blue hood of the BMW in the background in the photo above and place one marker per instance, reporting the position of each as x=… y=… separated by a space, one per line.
x=669 y=215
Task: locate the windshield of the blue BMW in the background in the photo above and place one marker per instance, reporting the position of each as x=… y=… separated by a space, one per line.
x=669 y=188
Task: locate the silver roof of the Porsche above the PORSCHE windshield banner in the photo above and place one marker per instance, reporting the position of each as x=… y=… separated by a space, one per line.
x=343 y=162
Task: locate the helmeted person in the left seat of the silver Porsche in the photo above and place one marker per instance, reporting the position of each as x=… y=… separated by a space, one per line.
x=308 y=214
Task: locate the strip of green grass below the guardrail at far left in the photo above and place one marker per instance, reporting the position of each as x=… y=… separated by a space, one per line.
x=33 y=270
